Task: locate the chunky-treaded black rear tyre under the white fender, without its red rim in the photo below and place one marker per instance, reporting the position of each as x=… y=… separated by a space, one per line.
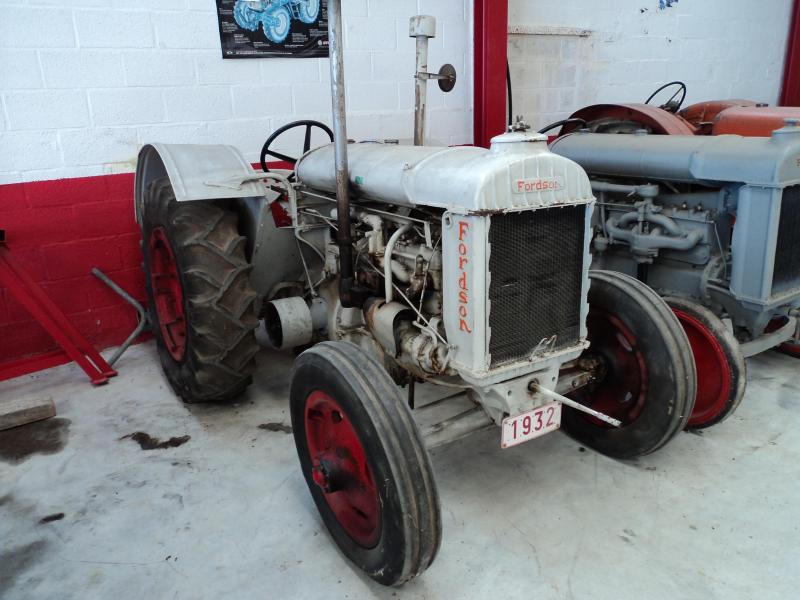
x=218 y=300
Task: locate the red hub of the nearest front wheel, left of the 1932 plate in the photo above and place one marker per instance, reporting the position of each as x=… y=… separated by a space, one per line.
x=341 y=470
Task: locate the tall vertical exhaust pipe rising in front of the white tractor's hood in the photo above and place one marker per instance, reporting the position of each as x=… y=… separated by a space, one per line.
x=343 y=236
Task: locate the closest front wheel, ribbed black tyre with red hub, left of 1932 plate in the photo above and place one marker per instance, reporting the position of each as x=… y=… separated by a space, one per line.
x=364 y=462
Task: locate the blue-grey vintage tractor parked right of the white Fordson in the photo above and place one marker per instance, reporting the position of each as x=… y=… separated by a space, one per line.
x=713 y=225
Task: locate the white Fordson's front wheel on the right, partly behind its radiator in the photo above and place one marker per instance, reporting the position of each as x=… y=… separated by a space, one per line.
x=646 y=375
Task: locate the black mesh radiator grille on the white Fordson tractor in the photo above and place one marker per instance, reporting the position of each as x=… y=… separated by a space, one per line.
x=536 y=270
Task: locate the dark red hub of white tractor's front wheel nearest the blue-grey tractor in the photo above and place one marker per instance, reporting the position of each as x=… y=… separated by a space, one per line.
x=622 y=391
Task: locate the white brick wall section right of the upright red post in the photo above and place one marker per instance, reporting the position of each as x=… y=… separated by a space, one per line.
x=720 y=48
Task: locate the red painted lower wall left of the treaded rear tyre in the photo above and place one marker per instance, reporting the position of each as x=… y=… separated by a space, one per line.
x=59 y=230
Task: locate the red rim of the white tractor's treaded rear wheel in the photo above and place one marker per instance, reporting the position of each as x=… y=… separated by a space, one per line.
x=167 y=294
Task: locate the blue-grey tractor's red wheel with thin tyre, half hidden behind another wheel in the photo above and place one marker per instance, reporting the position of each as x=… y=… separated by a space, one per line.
x=721 y=369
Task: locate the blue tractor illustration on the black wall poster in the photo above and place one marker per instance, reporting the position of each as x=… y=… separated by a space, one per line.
x=275 y=16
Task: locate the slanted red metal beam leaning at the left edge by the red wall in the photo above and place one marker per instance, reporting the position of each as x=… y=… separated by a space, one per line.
x=45 y=311
